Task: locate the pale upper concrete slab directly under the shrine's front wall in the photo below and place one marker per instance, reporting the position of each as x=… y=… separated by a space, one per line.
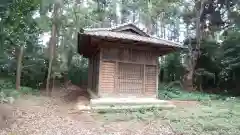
x=126 y=101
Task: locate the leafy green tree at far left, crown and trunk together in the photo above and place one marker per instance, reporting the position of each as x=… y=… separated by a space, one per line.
x=19 y=31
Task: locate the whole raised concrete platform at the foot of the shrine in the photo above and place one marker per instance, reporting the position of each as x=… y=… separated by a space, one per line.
x=119 y=104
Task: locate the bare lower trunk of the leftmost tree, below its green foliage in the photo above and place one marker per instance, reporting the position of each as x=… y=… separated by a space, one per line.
x=19 y=68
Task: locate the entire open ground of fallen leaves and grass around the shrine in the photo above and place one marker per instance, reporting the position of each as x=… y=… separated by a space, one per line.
x=40 y=115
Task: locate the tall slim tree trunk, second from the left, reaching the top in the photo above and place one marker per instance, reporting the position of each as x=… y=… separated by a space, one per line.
x=52 y=46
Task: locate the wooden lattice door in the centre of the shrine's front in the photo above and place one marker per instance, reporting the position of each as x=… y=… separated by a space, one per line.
x=130 y=78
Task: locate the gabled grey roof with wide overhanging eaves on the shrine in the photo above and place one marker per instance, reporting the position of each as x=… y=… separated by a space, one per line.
x=127 y=33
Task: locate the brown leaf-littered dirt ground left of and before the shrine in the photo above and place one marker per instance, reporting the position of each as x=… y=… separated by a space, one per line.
x=41 y=115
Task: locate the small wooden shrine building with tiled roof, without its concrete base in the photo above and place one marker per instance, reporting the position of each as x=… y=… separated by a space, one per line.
x=123 y=61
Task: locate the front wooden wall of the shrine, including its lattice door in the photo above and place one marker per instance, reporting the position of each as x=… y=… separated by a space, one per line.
x=128 y=72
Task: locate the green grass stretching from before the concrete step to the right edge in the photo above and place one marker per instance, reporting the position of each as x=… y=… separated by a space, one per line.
x=213 y=117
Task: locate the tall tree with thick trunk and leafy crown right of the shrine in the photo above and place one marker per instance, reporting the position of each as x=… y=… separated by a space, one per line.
x=208 y=17
